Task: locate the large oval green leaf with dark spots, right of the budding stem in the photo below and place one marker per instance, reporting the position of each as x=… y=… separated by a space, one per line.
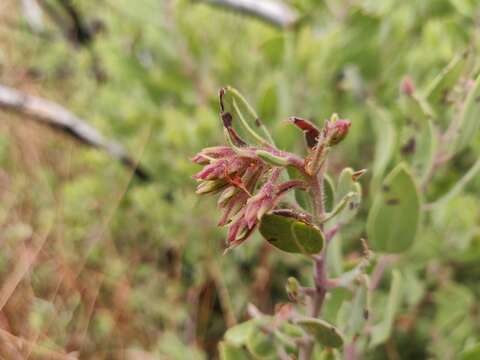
x=395 y=214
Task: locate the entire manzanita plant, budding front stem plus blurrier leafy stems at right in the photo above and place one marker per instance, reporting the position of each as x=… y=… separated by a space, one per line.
x=292 y=201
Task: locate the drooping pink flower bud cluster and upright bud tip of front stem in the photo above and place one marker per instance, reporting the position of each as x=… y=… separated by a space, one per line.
x=246 y=176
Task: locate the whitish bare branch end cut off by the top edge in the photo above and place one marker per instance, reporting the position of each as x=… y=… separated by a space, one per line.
x=274 y=12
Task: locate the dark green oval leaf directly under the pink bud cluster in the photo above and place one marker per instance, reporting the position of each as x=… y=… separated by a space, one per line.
x=291 y=235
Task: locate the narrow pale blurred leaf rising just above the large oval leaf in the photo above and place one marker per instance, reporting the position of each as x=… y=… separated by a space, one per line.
x=384 y=129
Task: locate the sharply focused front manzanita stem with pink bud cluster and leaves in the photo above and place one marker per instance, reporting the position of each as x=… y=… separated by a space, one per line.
x=255 y=180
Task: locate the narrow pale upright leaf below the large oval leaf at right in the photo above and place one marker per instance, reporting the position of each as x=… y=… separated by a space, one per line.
x=382 y=331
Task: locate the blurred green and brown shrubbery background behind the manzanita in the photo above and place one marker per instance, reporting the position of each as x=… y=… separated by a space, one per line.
x=98 y=261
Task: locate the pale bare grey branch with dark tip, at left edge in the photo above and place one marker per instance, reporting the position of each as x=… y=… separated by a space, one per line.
x=58 y=117
